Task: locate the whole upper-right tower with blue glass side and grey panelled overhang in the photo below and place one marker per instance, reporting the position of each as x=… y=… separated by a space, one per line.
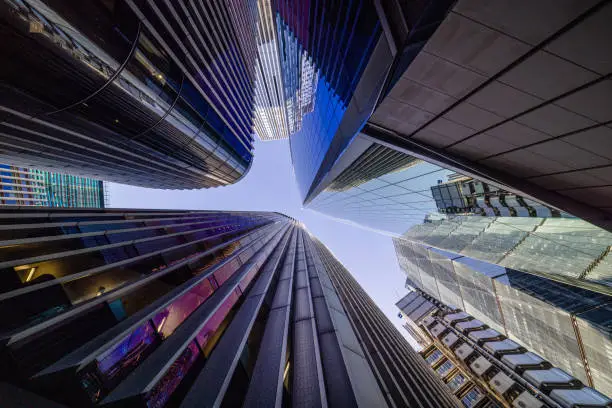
x=424 y=82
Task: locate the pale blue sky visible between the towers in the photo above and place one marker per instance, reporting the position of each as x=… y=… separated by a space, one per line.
x=270 y=186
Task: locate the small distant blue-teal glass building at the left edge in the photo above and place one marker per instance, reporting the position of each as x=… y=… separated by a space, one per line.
x=30 y=187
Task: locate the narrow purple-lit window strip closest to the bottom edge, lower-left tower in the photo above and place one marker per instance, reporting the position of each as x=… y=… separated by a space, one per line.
x=162 y=391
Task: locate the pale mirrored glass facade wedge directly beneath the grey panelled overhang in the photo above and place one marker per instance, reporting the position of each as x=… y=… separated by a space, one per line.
x=392 y=191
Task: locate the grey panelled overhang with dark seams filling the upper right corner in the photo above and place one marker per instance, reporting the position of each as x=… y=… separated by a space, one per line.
x=500 y=95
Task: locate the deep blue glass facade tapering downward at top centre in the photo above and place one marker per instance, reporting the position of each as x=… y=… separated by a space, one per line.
x=334 y=42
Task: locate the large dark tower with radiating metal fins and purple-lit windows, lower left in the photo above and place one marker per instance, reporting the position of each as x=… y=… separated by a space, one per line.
x=193 y=308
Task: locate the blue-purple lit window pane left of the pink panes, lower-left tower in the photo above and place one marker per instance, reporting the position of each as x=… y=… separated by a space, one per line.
x=127 y=354
